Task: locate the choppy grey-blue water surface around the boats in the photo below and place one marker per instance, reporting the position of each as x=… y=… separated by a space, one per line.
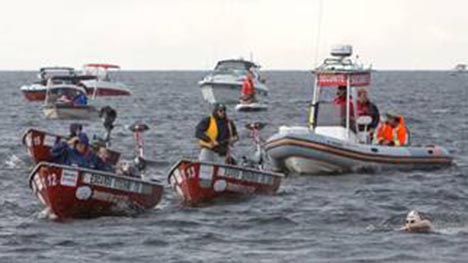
x=312 y=219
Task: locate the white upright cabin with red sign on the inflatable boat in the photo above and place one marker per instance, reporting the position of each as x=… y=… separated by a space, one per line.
x=333 y=110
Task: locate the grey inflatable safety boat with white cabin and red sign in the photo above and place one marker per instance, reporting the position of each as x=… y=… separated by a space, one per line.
x=334 y=142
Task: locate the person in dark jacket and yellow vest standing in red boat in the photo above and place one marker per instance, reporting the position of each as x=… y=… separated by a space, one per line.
x=216 y=133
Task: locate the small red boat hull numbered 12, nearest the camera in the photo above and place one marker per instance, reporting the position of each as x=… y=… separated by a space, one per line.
x=74 y=192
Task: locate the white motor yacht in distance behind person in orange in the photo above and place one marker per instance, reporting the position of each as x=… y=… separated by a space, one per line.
x=224 y=84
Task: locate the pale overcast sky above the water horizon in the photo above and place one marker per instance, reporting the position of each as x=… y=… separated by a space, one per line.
x=195 y=34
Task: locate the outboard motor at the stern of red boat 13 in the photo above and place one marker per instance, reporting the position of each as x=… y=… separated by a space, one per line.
x=257 y=160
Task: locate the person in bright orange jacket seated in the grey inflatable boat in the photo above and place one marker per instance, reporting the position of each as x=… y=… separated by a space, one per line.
x=393 y=131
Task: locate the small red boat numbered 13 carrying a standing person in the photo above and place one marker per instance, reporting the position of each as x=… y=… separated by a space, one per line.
x=198 y=182
